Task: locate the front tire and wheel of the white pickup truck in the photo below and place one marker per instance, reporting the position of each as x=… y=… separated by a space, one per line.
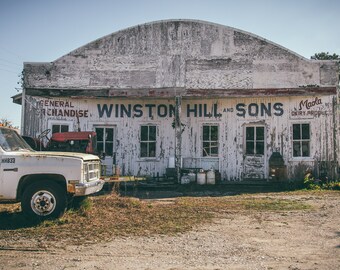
x=44 y=200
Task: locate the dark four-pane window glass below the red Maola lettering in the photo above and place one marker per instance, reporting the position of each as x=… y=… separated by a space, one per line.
x=301 y=140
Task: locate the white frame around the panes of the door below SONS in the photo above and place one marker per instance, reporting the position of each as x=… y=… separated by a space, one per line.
x=255 y=141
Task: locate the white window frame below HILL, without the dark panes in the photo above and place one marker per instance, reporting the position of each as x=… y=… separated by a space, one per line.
x=210 y=141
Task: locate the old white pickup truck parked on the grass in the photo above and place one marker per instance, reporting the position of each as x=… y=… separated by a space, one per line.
x=44 y=182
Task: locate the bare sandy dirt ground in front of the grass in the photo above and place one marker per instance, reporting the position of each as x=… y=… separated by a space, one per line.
x=234 y=239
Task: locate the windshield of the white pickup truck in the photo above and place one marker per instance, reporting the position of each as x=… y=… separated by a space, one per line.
x=11 y=141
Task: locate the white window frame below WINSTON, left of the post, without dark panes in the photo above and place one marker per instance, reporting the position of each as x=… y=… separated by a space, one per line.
x=148 y=141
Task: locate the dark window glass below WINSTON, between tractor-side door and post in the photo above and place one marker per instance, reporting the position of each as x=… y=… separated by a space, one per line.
x=148 y=141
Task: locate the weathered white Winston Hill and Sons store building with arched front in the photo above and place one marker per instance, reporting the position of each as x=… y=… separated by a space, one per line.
x=210 y=95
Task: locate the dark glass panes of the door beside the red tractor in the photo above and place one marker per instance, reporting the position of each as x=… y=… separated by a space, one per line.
x=105 y=140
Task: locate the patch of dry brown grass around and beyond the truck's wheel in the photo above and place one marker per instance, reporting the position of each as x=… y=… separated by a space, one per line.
x=105 y=217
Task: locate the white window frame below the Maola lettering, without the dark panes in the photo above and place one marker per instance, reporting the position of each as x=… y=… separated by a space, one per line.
x=301 y=141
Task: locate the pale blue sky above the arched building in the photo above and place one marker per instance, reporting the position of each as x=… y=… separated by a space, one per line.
x=45 y=30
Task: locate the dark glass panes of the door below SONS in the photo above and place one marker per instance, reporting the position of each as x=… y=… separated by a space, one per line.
x=255 y=140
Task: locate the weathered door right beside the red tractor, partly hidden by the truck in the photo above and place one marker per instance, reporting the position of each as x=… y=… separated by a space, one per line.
x=106 y=136
